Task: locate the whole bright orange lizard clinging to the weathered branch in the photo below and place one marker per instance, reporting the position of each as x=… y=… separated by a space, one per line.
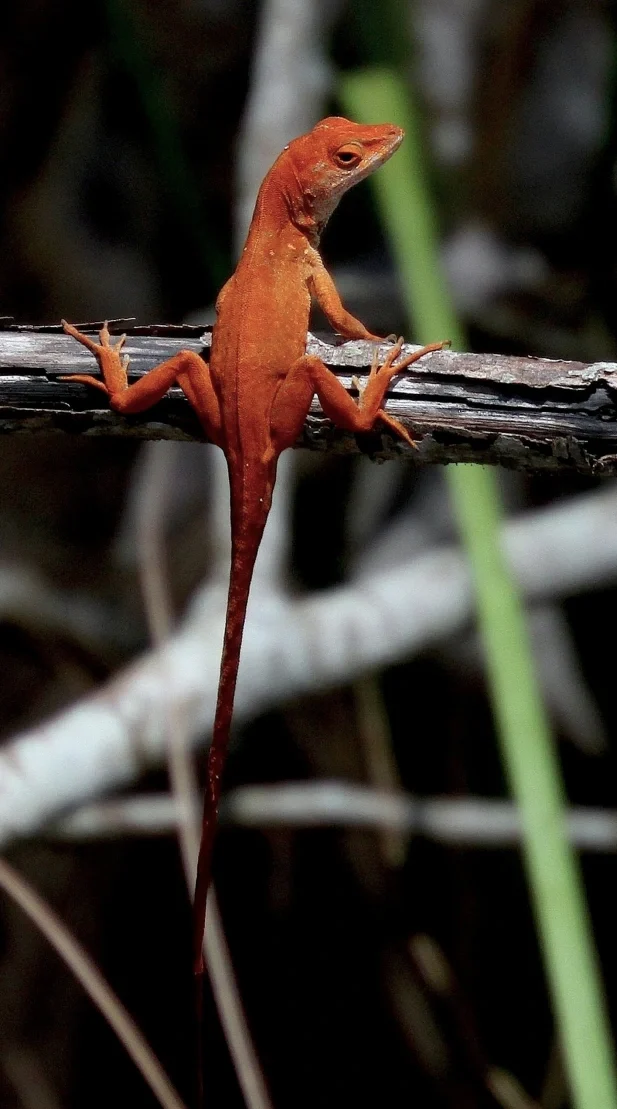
x=255 y=396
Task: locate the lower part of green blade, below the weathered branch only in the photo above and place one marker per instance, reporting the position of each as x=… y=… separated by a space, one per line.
x=533 y=769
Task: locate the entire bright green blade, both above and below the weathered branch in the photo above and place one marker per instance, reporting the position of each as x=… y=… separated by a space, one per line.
x=528 y=749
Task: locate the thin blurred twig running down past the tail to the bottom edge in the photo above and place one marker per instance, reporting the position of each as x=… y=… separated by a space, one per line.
x=151 y=515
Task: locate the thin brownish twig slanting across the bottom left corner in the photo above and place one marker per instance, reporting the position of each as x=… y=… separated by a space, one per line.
x=93 y=982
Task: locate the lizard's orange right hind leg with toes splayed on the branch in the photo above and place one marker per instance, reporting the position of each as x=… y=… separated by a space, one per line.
x=309 y=377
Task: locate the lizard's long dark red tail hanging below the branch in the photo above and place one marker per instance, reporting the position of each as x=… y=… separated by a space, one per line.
x=246 y=545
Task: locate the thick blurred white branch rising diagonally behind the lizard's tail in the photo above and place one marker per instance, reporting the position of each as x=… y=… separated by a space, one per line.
x=291 y=646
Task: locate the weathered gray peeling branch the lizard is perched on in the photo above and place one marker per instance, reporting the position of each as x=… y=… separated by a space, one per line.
x=517 y=412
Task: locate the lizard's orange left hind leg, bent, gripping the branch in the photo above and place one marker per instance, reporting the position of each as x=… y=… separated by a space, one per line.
x=186 y=369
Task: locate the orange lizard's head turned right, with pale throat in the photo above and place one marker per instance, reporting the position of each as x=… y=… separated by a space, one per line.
x=328 y=161
